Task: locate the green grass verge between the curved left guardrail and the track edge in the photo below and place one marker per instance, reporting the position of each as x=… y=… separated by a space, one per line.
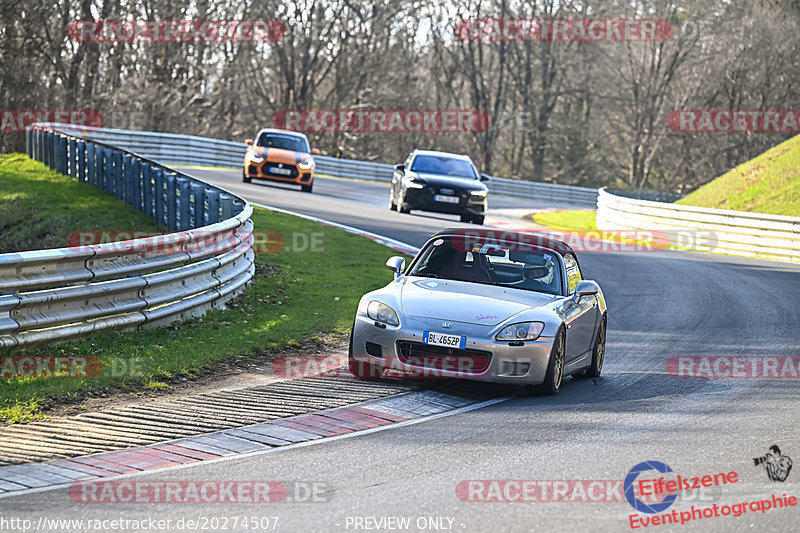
x=296 y=295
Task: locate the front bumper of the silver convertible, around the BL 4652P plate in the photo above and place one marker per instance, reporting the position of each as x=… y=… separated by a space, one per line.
x=400 y=350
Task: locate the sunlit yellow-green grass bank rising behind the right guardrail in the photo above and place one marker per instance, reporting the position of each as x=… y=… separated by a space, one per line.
x=769 y=183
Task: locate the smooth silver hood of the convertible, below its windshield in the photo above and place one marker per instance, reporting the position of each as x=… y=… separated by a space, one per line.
x=461 y=301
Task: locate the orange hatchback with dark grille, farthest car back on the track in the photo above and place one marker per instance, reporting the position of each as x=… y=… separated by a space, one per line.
x=280 y=155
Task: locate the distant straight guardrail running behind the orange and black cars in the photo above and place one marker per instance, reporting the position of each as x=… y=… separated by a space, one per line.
x=177 y=149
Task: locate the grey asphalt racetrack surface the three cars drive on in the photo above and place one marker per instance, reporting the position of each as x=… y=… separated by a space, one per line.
x=661 y=305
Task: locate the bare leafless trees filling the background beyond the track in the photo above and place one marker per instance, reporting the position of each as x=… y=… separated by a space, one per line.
x=585 y=113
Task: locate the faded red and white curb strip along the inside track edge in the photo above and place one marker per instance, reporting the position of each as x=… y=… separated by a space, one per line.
x=321 y=426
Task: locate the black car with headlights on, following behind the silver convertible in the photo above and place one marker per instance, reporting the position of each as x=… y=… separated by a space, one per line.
x=439 y=182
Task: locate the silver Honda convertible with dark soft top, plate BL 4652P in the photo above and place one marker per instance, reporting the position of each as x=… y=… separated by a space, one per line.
x=505 y=307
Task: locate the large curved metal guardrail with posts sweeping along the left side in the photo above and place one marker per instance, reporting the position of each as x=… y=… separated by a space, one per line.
x=205 y=260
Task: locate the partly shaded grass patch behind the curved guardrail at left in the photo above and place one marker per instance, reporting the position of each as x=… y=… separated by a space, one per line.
x=40 y=208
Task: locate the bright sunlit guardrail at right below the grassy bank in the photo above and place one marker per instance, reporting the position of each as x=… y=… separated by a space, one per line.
x=703 y=229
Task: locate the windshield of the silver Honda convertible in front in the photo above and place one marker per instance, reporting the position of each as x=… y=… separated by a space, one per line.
x=515 y=266
